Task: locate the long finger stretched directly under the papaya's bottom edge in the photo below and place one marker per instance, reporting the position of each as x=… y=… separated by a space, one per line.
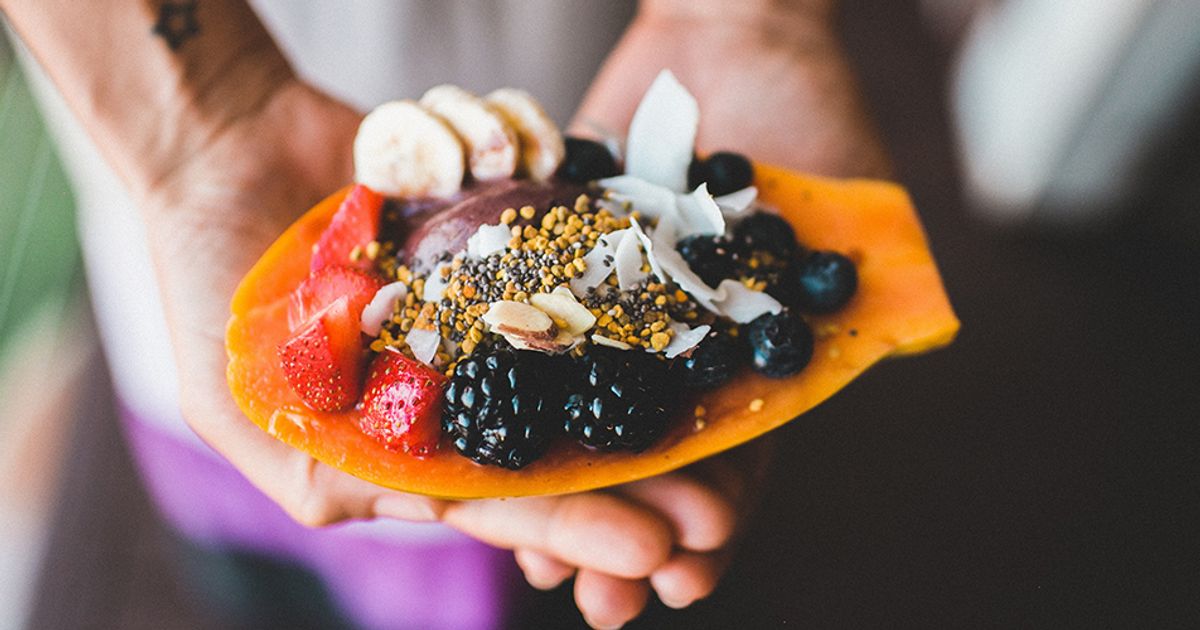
x=595 y=531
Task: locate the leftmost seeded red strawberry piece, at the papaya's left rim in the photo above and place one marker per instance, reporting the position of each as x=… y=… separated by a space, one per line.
x=323 y=359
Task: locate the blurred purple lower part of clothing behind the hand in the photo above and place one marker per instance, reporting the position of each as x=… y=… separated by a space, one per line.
x=381 y=580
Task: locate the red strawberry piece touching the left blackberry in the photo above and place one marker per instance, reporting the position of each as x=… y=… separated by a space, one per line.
x=403 y=405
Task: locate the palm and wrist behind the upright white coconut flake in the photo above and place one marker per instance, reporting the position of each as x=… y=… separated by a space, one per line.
x=770 y=76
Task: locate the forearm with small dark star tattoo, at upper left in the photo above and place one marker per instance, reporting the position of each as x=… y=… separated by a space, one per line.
x=152 y=100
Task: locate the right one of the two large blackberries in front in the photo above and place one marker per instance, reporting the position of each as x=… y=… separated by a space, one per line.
x=617 y=400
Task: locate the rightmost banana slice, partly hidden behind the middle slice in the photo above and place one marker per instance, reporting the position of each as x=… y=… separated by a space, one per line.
x=542 y=143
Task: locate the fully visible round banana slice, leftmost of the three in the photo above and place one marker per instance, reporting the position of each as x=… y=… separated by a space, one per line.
x=403 y=151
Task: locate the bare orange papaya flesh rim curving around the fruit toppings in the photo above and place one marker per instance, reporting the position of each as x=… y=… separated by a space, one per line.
x=901 y=309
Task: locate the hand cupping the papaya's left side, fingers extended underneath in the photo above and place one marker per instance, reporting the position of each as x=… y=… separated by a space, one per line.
x=208 y=223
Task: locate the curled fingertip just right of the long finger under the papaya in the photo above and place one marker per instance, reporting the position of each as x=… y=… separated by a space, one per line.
x=703 y=518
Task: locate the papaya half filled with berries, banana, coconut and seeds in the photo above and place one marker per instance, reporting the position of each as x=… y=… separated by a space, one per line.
x=807 y=328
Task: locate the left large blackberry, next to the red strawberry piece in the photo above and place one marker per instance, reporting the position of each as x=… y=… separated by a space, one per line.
x=503 y=407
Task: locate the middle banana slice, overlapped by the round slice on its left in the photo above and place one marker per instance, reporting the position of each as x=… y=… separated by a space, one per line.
x=491 y=145
